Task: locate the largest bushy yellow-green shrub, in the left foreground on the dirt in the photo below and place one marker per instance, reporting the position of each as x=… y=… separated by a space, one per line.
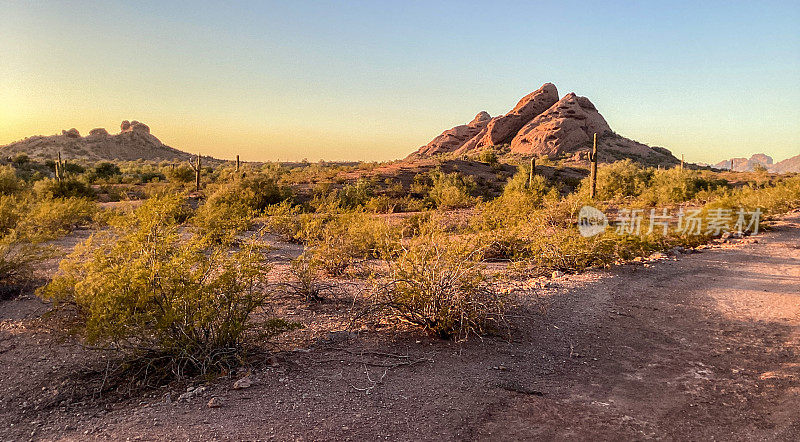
x=148 y=291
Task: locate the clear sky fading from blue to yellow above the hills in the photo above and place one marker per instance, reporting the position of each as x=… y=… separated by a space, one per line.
x=374 y=80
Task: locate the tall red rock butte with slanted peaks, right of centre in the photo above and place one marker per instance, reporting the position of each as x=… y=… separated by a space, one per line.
x=542 y=124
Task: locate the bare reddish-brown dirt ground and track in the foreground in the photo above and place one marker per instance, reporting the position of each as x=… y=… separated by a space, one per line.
x=702 y=347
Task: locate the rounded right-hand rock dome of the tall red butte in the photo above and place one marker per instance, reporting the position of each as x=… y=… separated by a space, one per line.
x=564 y=127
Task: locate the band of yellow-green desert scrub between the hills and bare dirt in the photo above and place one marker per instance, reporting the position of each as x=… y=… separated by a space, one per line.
x=177 y=282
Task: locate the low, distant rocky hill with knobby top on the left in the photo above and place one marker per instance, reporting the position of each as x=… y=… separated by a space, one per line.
x=133 y=142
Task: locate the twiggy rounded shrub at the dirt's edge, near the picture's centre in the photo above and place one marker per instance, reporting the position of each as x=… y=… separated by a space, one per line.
x=436 y=282
